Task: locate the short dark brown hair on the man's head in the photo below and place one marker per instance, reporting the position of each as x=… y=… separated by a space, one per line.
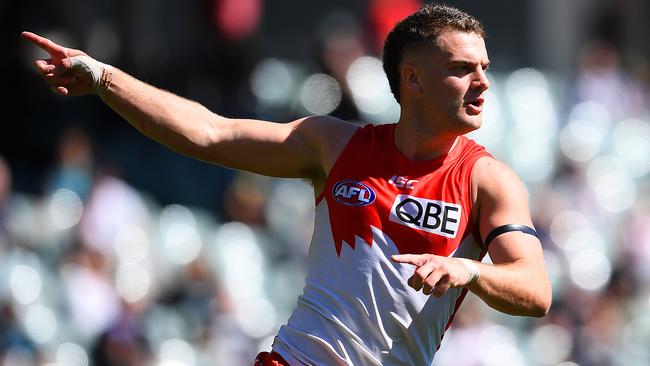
x=423 y=27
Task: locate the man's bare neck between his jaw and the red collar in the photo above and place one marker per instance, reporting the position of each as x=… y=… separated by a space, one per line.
x=418 y=143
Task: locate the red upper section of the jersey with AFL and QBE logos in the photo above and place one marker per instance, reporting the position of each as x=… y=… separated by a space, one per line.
x=424 y=206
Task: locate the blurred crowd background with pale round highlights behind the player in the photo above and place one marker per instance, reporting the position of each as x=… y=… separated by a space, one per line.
x=116 y=251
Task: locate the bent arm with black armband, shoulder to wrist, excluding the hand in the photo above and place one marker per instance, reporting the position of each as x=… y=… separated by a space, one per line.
x=516 y=283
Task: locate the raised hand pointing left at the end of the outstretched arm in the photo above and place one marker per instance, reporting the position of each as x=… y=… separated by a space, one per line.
x=58 y=71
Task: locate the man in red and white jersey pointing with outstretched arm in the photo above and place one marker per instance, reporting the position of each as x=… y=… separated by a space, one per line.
x=404 y=213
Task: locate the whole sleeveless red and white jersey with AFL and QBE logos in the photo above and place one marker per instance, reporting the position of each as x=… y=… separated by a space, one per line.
x=356 y=307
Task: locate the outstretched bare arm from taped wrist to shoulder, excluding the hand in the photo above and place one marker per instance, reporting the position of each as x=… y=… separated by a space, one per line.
x=295 y=149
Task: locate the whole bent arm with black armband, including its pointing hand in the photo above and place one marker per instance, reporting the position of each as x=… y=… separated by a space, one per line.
x=516 y=283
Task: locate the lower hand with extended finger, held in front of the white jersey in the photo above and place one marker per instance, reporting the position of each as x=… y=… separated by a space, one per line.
x=434 y=273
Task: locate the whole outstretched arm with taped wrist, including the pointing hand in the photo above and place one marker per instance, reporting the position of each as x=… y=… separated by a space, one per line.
x=305 y=148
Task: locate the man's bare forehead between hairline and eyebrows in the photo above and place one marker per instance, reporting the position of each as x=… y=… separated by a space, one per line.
x=463 y=45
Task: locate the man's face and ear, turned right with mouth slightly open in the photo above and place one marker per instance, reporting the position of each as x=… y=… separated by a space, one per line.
x=451 y=81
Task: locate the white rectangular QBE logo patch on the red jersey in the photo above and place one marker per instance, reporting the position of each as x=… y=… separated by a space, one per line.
x=436 y=217
